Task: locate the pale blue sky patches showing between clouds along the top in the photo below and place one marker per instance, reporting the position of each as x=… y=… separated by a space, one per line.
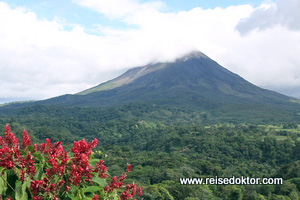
x=71 y=13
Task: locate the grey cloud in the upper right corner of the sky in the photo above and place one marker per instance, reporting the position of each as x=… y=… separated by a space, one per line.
x=282 y=13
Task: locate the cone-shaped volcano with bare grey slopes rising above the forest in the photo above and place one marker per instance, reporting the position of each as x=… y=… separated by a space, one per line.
x=193 y=82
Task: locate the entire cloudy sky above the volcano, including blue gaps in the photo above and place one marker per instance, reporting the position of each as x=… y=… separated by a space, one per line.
x=51 y=48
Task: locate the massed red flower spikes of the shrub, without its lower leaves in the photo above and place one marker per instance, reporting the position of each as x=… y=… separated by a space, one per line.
x=60 y=172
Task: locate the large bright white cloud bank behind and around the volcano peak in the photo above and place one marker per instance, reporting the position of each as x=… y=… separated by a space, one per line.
x=39 y=59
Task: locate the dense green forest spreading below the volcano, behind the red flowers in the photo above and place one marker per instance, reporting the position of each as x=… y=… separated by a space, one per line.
x=164 y=144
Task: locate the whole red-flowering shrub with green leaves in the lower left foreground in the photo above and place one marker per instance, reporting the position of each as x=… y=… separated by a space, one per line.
x=53 y=173
